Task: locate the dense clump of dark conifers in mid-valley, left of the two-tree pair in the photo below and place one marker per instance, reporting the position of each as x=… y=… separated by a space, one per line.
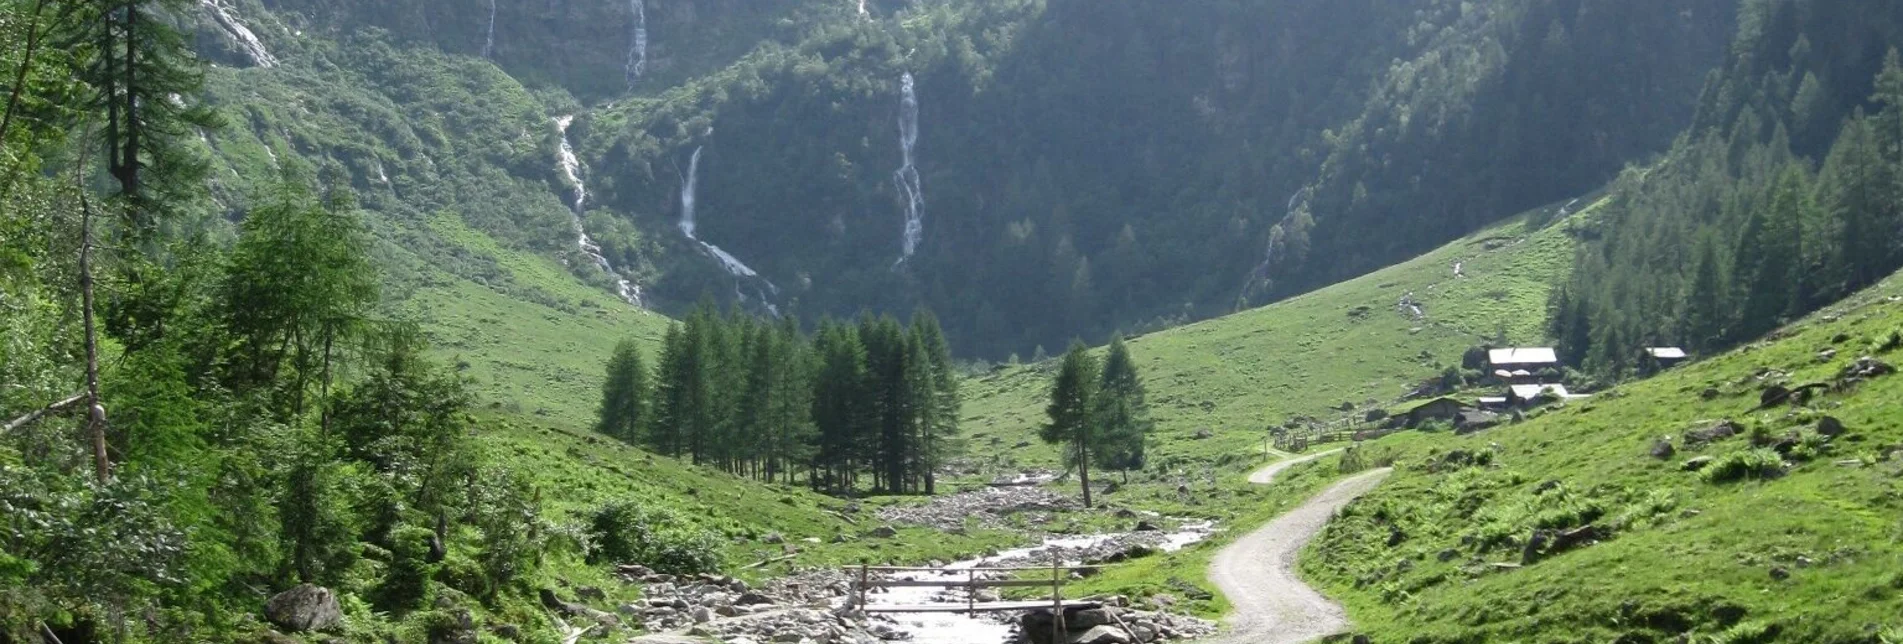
x=855 y=401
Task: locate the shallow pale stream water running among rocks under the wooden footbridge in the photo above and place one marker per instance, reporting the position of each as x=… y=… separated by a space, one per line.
x=968 y=630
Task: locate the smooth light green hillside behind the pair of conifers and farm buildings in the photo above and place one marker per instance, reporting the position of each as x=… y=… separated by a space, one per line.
x=1350 y=344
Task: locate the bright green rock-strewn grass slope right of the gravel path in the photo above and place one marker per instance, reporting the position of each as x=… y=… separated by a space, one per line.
x=1746 y=555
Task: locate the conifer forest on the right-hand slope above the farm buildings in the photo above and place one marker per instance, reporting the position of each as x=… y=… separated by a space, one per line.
x=1780 y=201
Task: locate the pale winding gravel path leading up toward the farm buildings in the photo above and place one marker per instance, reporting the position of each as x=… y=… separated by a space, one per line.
x=1259 y=571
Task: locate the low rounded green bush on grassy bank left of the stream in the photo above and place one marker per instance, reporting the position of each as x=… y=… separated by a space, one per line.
x=656 y=538
